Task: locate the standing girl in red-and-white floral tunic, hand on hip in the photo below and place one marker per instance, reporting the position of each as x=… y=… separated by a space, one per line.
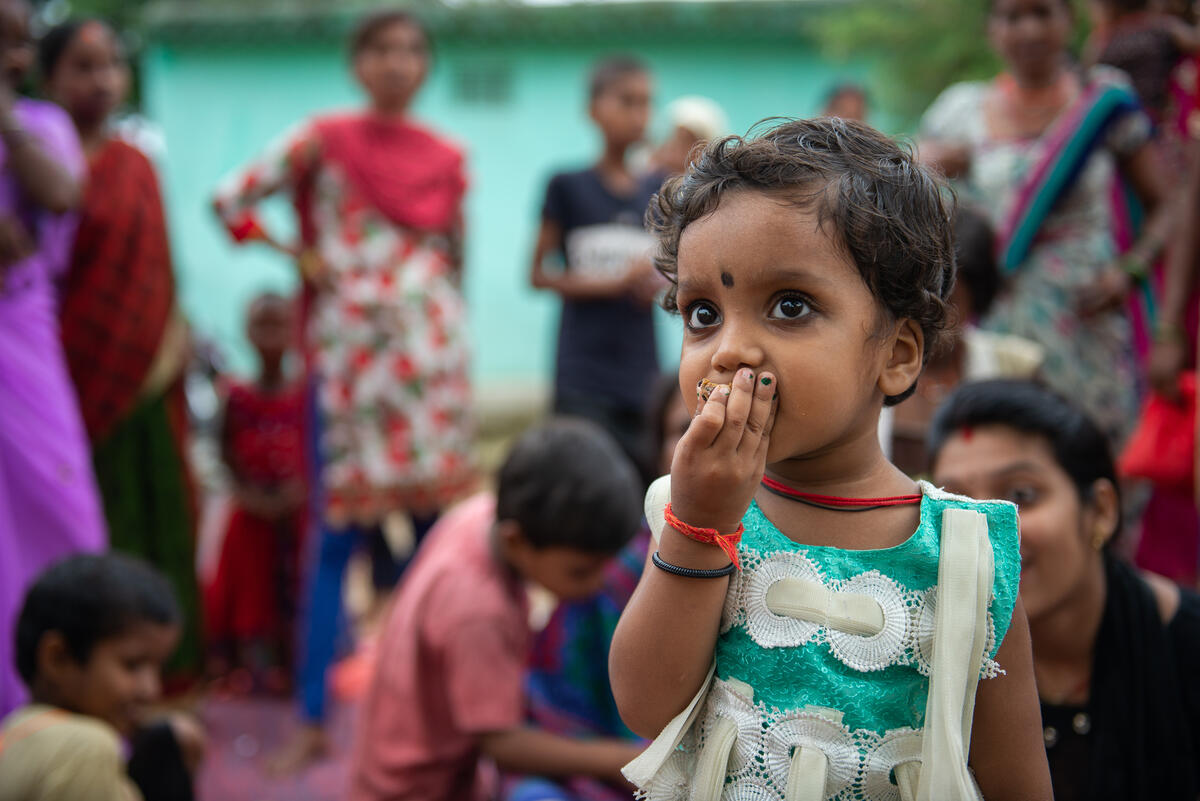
x=380 y=206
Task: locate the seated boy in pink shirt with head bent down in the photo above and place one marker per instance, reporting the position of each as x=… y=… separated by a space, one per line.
x=447 y=696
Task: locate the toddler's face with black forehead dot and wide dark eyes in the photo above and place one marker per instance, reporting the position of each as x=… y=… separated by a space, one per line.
x=763 y=287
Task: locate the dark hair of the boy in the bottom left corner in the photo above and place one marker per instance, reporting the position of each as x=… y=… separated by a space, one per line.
x=88 y=599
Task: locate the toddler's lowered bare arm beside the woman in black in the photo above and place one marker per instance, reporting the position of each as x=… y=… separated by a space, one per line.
x=1007 y=752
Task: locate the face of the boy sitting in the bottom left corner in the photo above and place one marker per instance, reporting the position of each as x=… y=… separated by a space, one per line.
x=119 y=680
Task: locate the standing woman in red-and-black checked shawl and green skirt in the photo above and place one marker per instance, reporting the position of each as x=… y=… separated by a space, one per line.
x=124 y=338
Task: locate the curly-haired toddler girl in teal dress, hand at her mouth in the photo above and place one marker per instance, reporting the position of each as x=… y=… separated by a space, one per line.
x=848 y=613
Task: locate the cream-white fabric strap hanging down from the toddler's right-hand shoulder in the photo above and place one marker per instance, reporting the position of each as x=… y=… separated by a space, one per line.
x=965 y=575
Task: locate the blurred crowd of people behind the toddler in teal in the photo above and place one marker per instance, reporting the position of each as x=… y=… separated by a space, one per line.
x=1067 y=388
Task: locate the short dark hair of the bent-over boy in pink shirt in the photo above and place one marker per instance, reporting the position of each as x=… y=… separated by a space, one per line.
x=567 y=484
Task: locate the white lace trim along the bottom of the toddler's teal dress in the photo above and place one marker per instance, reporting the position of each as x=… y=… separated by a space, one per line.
x=861 y=762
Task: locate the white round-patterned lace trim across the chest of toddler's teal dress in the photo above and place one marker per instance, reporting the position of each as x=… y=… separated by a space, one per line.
x=909 y=616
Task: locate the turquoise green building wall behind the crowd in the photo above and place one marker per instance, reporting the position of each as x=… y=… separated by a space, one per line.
x=221 y=106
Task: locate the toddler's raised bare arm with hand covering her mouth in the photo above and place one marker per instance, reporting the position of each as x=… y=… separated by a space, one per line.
x=665 y=640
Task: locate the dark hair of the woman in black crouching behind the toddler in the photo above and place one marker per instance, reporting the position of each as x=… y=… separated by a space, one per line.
x=1079 y=445
